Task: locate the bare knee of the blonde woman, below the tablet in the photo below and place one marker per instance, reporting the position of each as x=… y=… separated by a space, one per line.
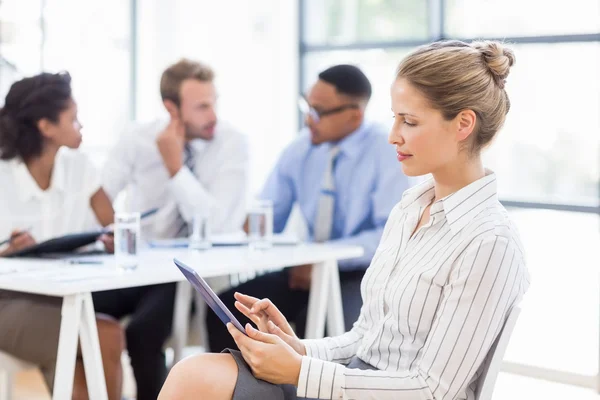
x=202 y=376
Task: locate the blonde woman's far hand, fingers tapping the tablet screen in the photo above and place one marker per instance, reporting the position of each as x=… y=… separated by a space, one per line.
x=269 y=319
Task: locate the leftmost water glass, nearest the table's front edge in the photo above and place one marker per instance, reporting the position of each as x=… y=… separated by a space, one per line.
x=127 y=237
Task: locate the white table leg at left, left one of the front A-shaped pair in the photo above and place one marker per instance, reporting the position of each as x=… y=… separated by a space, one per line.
x=67 y=347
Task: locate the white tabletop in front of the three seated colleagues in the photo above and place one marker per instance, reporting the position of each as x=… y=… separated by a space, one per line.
x=59 y=278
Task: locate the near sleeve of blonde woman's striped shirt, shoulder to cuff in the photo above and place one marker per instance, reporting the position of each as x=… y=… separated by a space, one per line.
x=488 y=280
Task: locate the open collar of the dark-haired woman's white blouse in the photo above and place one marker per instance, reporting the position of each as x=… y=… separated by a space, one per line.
x=28 y=188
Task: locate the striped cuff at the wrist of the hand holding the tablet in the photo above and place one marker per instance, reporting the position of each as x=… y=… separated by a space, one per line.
x=320 y=379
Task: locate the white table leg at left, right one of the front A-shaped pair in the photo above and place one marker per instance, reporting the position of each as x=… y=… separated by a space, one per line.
x=90 y=350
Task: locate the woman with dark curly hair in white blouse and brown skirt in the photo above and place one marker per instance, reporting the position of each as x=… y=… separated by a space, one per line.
x=48 y=190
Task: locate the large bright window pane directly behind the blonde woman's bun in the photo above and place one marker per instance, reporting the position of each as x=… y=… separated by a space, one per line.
x=548 y=149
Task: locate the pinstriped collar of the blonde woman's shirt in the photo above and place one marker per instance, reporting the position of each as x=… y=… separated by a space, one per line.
x=459 y=208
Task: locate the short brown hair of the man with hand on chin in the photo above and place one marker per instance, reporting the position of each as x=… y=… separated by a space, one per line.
x=173 y=77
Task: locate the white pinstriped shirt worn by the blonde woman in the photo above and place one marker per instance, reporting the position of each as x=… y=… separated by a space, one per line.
x=433 y=303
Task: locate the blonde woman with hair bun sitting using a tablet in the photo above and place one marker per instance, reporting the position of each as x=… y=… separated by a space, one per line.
x=447 y=272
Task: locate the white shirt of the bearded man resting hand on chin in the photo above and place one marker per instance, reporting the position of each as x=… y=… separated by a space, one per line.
x=216 y=186
